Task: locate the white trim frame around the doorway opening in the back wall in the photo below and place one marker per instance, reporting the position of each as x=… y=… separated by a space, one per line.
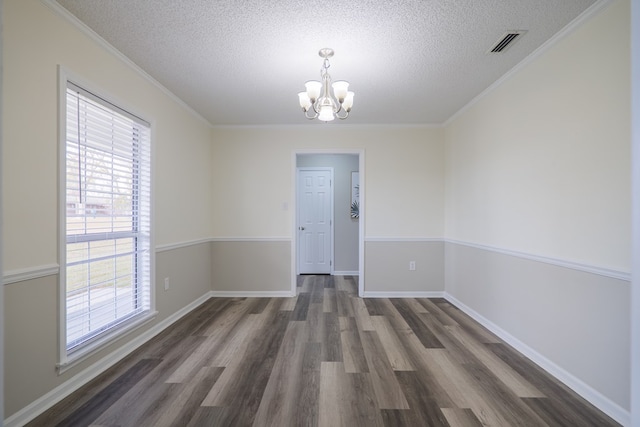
x=294 y=218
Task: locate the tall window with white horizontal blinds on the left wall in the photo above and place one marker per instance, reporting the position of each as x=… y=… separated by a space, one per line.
x=107 y=218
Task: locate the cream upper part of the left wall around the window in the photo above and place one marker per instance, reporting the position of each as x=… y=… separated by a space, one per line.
x=36 y=41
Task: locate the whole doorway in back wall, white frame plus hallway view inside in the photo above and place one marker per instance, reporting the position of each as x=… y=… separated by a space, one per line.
x=346 y=232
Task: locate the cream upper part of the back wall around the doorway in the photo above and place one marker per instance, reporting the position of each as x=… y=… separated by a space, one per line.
x=253 y=170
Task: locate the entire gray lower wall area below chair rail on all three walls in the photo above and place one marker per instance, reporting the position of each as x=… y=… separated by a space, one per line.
x=577 y=320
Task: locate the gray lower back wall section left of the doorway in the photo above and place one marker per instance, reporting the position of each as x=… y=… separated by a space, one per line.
x=251 y=266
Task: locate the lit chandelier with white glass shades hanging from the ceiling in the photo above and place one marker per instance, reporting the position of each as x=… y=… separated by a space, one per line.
x=318 y=101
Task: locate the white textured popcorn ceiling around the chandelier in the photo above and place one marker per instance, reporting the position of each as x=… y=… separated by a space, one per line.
x=243 y=62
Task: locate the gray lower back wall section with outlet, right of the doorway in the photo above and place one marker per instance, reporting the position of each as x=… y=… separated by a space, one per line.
x=387 y=266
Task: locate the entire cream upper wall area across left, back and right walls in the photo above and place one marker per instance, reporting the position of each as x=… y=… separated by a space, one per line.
x=540 y=165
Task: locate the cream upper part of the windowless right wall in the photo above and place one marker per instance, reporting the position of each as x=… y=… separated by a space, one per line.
x=541 y=164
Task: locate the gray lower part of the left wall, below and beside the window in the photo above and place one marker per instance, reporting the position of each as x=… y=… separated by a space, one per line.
x=31 y=323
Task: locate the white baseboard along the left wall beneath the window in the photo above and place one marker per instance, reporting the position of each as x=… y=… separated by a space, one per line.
x=45 y=402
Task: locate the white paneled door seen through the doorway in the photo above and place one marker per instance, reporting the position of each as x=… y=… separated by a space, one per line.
x=315 y=211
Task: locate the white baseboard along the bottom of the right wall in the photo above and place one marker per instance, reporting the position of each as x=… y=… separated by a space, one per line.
x=600 y=401
